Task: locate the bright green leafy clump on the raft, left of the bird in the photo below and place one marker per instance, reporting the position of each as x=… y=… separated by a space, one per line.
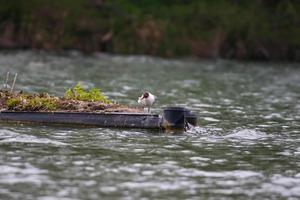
x=78 y=93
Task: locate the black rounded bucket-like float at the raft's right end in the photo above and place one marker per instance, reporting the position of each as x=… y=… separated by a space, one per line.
x=174 y=118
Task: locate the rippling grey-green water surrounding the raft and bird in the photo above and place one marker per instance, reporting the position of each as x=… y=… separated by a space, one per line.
x=247 y=145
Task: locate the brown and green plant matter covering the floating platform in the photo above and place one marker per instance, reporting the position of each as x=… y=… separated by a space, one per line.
x=75 y=99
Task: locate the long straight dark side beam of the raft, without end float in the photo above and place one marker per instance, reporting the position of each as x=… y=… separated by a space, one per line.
x=121 y=120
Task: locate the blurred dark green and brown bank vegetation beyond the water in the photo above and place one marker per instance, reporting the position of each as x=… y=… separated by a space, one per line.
x=258 y=29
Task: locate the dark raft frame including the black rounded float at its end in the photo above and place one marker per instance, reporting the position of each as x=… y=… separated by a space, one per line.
x=173 y=118
